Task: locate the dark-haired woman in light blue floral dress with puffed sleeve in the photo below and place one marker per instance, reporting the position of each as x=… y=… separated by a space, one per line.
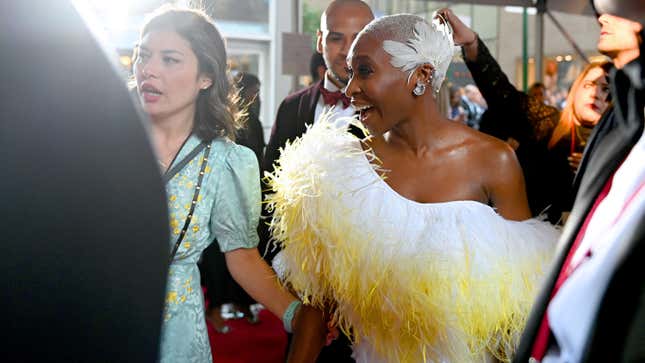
x=212 y=184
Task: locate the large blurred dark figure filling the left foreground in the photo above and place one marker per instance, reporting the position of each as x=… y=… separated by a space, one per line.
x=83 y=208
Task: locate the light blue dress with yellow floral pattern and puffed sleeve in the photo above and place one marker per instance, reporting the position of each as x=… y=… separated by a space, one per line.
x=228 y=210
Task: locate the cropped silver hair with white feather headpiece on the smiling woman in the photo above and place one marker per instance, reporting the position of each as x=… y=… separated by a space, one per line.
x=411 y=42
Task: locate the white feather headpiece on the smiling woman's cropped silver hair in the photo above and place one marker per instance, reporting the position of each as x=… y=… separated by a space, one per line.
x=431 y=43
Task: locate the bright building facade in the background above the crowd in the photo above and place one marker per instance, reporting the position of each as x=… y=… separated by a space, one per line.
x=254 y=31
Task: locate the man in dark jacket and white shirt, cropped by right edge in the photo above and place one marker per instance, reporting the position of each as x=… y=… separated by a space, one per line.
x=591 y=307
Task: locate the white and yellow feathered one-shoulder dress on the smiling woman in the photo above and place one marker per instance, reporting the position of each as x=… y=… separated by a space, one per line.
x=411 y=282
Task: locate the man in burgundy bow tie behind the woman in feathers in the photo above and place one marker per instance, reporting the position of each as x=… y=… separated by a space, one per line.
x=339 y=25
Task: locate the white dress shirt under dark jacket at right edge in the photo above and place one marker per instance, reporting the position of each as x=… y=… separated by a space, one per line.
x=572 y=310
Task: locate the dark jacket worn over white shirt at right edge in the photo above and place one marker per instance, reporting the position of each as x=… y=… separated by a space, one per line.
x=619 y=328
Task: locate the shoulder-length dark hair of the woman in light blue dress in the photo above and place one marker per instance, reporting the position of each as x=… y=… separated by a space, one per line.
x=216 y=114
